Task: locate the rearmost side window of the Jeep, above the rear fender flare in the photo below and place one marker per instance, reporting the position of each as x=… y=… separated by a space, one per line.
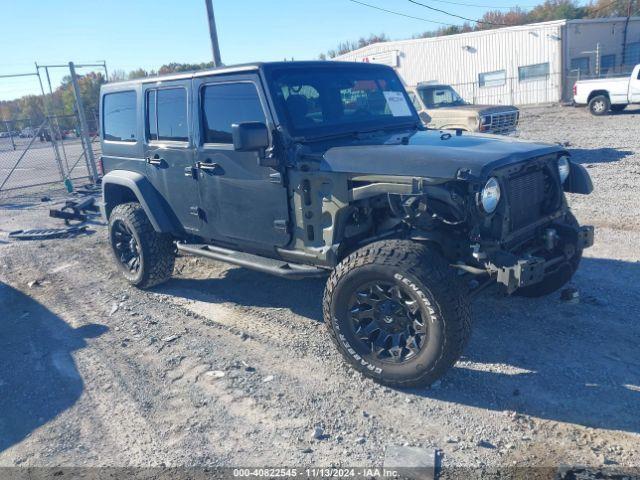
x=119 y=117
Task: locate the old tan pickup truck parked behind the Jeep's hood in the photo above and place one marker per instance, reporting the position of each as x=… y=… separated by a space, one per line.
x=440 y=107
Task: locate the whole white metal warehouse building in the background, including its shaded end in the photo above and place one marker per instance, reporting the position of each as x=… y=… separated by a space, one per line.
x=528 y=64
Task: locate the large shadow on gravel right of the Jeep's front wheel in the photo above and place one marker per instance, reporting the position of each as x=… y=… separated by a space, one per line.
x=576 y=363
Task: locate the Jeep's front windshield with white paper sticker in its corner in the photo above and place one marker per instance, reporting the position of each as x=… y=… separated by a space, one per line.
x=326 y=100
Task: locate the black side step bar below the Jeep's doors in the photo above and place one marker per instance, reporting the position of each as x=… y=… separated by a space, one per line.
x=254 y=262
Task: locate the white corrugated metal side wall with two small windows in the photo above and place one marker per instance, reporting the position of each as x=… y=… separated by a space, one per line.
x=460 y=59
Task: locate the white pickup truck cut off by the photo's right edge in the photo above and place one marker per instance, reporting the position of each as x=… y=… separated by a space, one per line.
x=608 y=94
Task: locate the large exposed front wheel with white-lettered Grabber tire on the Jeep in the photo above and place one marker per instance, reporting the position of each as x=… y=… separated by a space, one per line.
x=398 y=313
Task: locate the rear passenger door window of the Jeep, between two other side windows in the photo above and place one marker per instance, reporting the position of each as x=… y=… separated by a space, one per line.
x=167 y=115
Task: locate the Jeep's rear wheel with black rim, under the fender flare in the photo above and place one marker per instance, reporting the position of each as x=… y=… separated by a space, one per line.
x=144 y=256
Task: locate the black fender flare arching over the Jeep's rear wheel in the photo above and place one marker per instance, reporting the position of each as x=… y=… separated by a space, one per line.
x=145 y=193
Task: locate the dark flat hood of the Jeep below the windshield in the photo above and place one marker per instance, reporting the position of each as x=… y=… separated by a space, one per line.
x=433 y=154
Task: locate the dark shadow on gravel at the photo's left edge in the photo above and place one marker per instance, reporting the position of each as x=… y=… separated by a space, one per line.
x=38 y=376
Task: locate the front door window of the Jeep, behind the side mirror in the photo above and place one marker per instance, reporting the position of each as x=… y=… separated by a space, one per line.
x=226 y=104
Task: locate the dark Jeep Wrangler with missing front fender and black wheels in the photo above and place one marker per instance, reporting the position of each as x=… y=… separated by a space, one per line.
x=309 y=169
